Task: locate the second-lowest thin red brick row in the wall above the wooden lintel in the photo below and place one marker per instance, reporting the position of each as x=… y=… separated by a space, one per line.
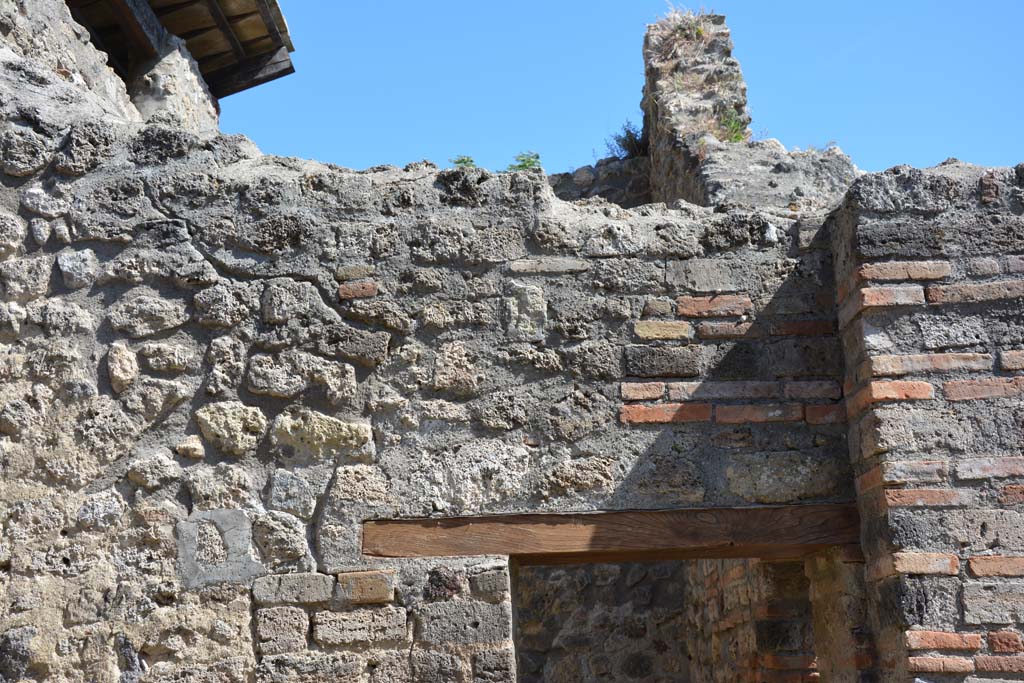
x=748 y=391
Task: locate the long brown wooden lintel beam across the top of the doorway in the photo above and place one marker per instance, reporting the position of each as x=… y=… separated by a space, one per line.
x=779 y=533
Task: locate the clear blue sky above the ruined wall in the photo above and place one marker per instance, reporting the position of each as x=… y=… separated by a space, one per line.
x=901 y=81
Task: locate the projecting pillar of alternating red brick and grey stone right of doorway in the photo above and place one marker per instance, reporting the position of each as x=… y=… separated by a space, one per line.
x=931 y=279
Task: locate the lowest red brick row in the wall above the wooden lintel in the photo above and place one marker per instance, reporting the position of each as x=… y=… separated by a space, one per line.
x=741 y=414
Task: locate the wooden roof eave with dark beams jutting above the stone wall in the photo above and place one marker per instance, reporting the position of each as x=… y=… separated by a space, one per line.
x=239 y=45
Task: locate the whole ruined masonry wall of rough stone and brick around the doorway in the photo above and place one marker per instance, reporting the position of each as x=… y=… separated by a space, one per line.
x=218 y=365
